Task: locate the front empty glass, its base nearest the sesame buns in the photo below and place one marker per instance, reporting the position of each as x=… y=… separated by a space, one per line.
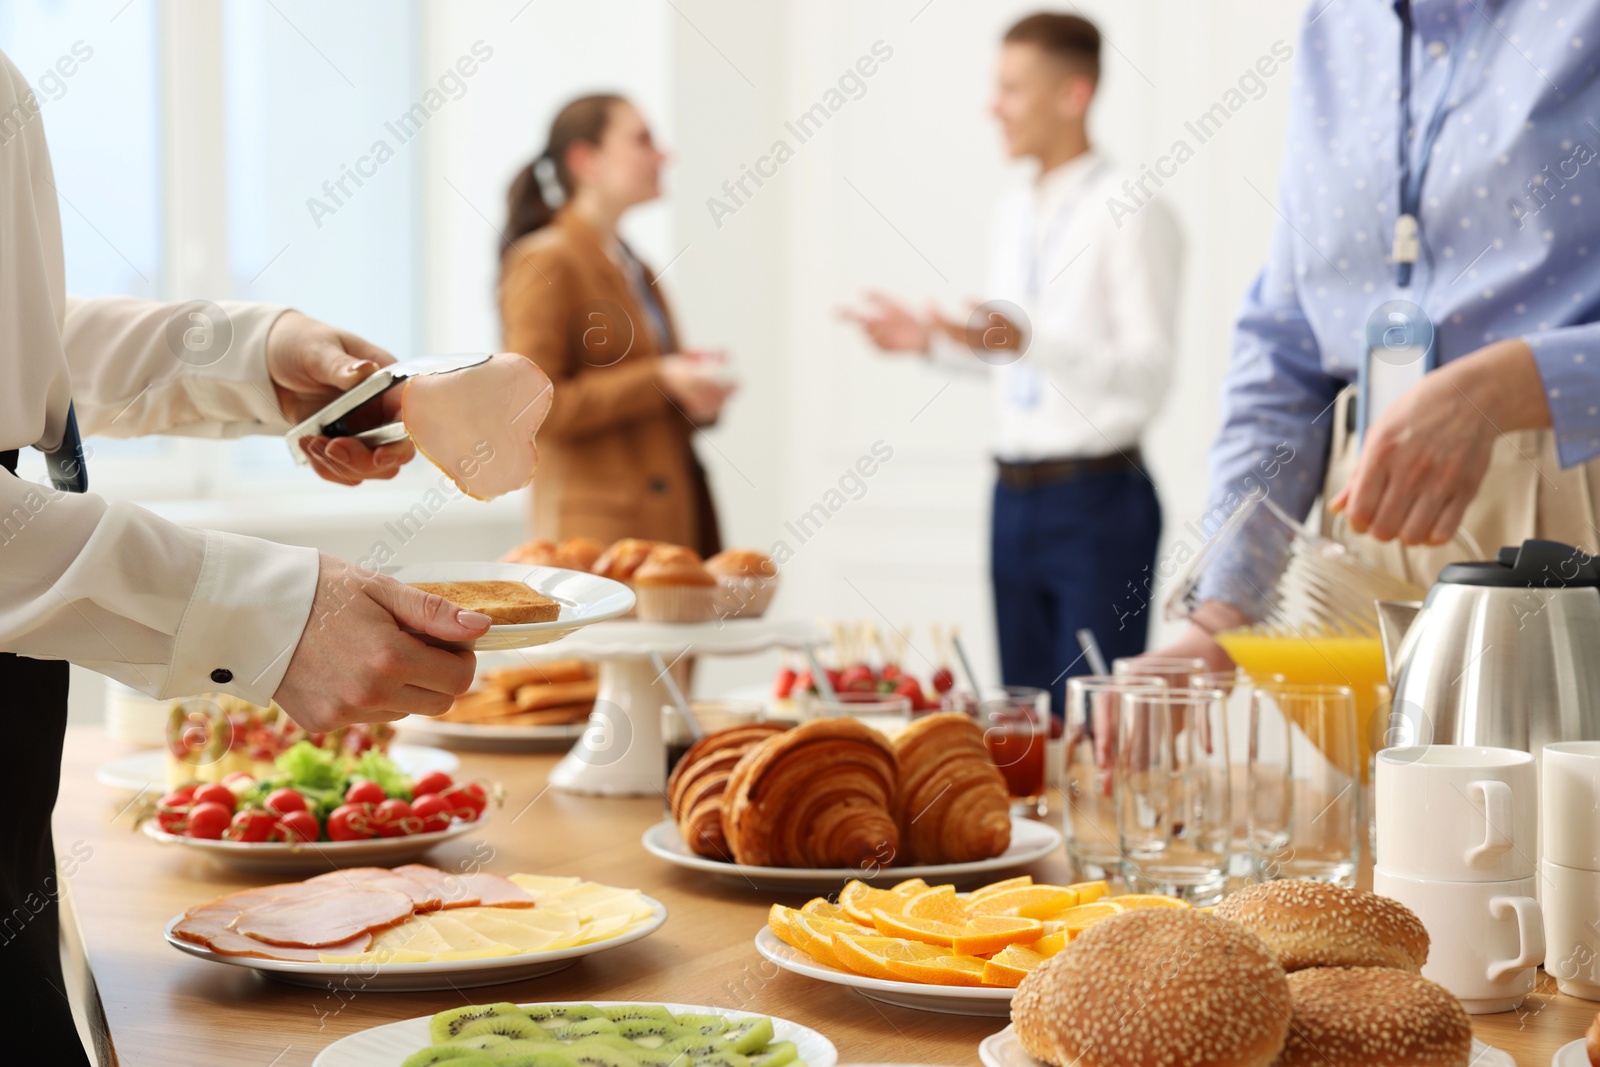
x=1174 y=794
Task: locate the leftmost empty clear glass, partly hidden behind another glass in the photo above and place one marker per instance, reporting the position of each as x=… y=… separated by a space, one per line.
x=1094 y=717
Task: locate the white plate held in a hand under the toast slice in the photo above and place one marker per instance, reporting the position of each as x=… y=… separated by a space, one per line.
x=582 y=599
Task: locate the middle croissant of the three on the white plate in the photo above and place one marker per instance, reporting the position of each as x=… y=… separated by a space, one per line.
x=817 y=796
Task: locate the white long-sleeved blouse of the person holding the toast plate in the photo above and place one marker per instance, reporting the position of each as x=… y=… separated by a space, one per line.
x=113 y=586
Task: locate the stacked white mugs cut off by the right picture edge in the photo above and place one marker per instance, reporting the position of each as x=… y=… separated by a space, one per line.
x=1570 y=866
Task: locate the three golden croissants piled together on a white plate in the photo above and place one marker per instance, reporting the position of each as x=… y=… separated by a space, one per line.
x=836 y=793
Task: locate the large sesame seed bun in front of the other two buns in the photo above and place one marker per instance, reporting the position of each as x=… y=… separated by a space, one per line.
x=1156 y=986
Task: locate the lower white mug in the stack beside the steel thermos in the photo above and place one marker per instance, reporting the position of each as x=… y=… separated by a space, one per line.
x=1486 y=938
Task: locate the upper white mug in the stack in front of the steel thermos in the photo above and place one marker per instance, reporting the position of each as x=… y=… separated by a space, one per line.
x=1458 y=813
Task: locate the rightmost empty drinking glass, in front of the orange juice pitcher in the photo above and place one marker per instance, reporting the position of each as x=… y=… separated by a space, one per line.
x=1305 y=783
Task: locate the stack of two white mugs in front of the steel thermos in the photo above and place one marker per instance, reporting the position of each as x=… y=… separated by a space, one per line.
x=1458 y=845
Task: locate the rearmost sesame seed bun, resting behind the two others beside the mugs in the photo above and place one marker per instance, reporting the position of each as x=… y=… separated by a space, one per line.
x=1314 y=924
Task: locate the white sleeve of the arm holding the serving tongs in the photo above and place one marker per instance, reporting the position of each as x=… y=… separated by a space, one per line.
x=143 y=367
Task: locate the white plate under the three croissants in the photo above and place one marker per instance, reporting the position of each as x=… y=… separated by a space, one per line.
x=1031 y=842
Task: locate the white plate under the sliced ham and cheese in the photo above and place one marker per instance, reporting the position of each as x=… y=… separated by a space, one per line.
x=442 y=975
